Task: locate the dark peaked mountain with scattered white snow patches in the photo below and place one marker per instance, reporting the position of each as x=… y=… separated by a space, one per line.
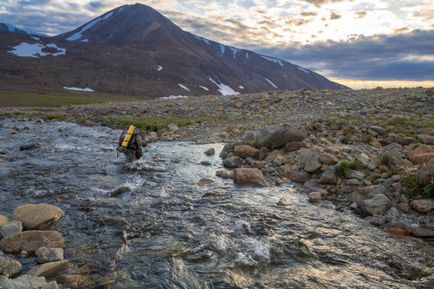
x=135 y=50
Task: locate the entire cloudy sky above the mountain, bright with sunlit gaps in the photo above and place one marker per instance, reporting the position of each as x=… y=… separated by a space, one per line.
x=359 y=43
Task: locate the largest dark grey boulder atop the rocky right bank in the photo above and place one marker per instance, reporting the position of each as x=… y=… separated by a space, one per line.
x=274 y=137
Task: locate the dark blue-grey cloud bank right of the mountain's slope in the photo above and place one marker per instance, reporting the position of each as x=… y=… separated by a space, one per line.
x=398 y=57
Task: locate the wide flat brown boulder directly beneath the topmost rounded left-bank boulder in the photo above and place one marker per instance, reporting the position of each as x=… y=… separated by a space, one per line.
x=31 y=241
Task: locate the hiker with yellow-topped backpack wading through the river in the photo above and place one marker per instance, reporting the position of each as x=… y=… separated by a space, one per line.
x=131 y=142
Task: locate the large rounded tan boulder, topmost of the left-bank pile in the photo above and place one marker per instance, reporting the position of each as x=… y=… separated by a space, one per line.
x=37 y=216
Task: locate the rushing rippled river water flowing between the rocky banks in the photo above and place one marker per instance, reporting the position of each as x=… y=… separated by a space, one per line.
x=149 y=224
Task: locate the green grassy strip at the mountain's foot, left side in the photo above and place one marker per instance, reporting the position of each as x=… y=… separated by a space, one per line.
x=56 y=99
